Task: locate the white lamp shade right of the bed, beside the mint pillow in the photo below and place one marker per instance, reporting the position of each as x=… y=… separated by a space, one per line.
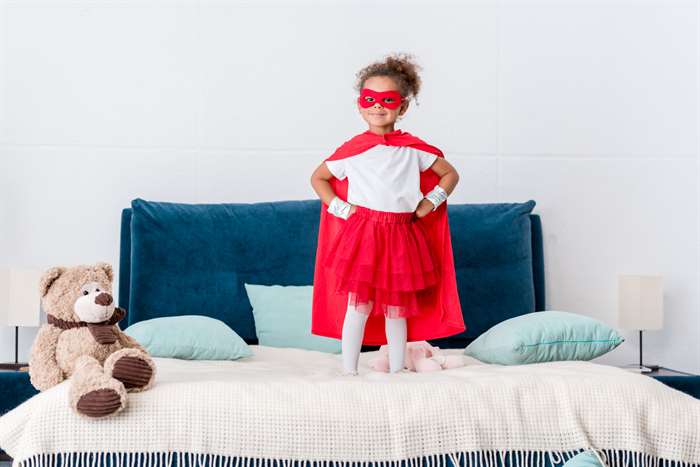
x=640 y=301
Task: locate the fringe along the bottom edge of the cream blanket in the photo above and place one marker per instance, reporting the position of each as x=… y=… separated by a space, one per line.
x=481 y=458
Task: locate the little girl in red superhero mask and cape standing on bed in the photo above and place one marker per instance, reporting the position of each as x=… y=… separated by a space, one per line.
x=384 y=267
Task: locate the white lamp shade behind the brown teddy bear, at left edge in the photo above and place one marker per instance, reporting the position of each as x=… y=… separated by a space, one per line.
x=19 y=297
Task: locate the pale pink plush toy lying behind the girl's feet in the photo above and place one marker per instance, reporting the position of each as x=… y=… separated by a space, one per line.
x=420 y=356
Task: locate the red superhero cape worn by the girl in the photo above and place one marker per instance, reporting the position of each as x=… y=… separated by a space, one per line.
x=442 y=315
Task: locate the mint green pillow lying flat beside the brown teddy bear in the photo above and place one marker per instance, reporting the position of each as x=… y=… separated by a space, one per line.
x=189 y=337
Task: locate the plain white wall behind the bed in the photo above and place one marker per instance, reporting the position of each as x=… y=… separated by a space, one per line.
x=588 y=107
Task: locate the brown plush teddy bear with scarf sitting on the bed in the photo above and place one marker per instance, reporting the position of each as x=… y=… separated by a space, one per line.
x=82 y=341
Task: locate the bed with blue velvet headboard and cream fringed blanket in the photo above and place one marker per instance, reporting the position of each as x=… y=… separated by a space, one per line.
x=288 y=407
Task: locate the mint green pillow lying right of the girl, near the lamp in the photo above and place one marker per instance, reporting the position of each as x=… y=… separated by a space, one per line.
x=544 y=336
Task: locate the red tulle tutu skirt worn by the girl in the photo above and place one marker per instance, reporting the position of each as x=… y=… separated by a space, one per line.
x=382 y=261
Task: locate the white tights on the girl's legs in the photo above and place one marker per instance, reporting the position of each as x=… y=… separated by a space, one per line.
x=354 y=331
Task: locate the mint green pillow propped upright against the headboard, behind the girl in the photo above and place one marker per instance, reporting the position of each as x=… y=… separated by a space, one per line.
x=283 y=317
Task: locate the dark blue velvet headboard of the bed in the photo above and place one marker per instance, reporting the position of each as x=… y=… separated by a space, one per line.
x=180 y=259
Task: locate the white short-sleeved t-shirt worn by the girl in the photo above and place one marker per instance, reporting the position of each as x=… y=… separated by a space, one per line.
x=384 y=178
